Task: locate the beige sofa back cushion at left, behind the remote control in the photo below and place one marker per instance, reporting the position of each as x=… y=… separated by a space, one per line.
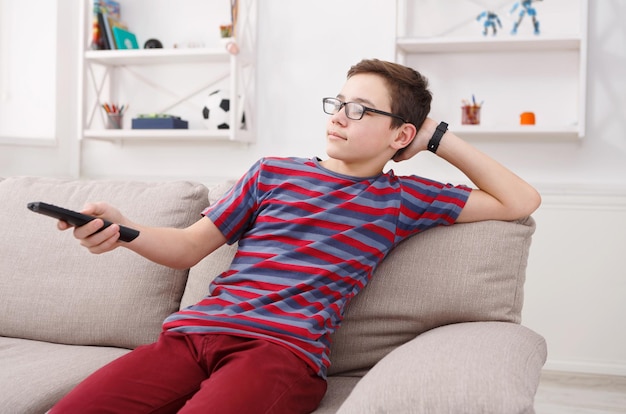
x=54 y=290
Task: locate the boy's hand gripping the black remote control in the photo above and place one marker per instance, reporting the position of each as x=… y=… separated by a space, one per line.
x=88 y=235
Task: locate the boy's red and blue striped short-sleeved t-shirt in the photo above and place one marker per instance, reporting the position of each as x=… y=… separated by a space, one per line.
x=309 y=240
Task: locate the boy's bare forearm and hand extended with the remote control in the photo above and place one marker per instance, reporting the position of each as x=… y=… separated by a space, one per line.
x=176 y=248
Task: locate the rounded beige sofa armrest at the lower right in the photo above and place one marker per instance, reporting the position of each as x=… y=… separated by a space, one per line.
x=485 y=367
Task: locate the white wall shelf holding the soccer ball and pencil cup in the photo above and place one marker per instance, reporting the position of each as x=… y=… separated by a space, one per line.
x=169 y=80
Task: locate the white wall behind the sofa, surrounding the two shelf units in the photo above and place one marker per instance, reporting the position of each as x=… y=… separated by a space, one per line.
x=576 y=278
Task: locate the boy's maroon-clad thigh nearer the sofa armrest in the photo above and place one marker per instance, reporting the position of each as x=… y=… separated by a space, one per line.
x=255 y=376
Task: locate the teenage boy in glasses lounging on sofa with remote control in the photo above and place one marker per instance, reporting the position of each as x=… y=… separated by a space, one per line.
x=310 y=234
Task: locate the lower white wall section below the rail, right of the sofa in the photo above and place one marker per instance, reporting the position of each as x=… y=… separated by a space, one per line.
x=576 y=284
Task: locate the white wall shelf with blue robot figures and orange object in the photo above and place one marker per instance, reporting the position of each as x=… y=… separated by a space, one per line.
x=544 y=73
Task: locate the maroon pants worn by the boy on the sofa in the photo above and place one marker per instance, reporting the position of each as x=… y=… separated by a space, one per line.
x=199 y=374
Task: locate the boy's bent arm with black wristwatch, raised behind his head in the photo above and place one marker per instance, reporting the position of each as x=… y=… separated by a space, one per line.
x=501 y=195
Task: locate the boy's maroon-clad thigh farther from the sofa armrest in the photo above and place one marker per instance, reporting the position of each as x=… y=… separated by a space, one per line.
x=155 y=378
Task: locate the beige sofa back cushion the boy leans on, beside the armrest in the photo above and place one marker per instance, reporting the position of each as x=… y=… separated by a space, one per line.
x=460 y=273
